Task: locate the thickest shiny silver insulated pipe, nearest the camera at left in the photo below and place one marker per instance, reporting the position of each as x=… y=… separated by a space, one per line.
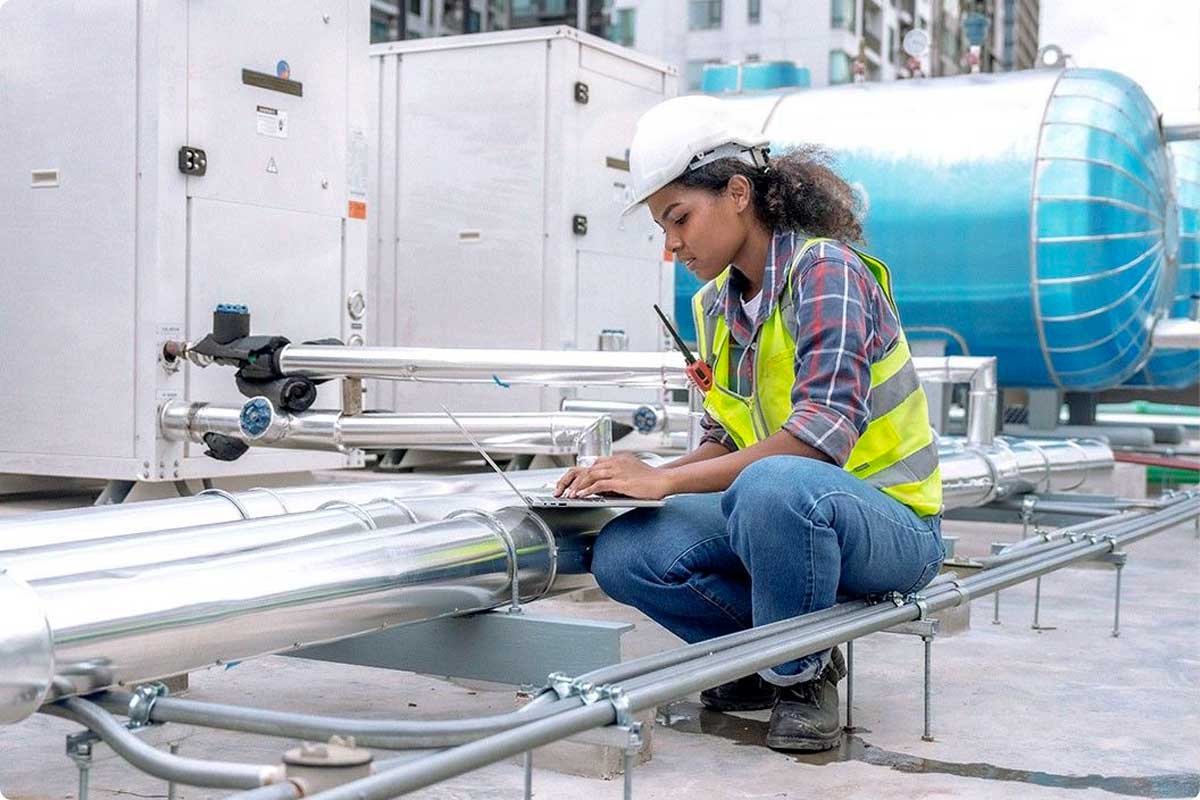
x=105 y=629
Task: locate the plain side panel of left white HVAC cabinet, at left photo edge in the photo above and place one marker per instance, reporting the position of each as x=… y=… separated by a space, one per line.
x=68 y=171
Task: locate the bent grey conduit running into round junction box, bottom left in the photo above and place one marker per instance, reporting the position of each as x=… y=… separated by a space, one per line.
x=152 y=761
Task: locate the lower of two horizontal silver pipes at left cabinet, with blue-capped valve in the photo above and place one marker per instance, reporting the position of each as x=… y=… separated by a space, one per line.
x=259 y=424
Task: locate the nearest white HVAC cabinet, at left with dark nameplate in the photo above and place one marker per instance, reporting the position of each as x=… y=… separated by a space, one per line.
x=117 y=233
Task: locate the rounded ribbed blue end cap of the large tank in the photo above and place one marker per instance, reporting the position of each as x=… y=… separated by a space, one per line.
x=1102 y=209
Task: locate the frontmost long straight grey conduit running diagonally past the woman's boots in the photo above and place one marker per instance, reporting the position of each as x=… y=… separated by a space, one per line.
x=431 y=771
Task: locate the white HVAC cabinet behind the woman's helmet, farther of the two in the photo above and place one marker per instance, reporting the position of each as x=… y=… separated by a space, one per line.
x=502 y=175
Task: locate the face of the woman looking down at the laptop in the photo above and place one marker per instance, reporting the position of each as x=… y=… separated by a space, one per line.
x=704 y=231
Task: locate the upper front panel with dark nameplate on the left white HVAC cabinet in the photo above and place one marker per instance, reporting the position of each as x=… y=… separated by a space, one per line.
x=266 y=145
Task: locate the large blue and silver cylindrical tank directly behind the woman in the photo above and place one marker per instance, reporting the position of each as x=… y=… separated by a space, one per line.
x=1024 y=215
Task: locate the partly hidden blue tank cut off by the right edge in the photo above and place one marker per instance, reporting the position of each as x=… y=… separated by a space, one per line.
x=1180 y=369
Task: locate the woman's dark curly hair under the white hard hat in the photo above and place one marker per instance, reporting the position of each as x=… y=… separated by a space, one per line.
x=797 y=191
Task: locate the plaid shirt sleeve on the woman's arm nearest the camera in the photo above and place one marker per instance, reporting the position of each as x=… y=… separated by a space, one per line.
x=833 y=370
